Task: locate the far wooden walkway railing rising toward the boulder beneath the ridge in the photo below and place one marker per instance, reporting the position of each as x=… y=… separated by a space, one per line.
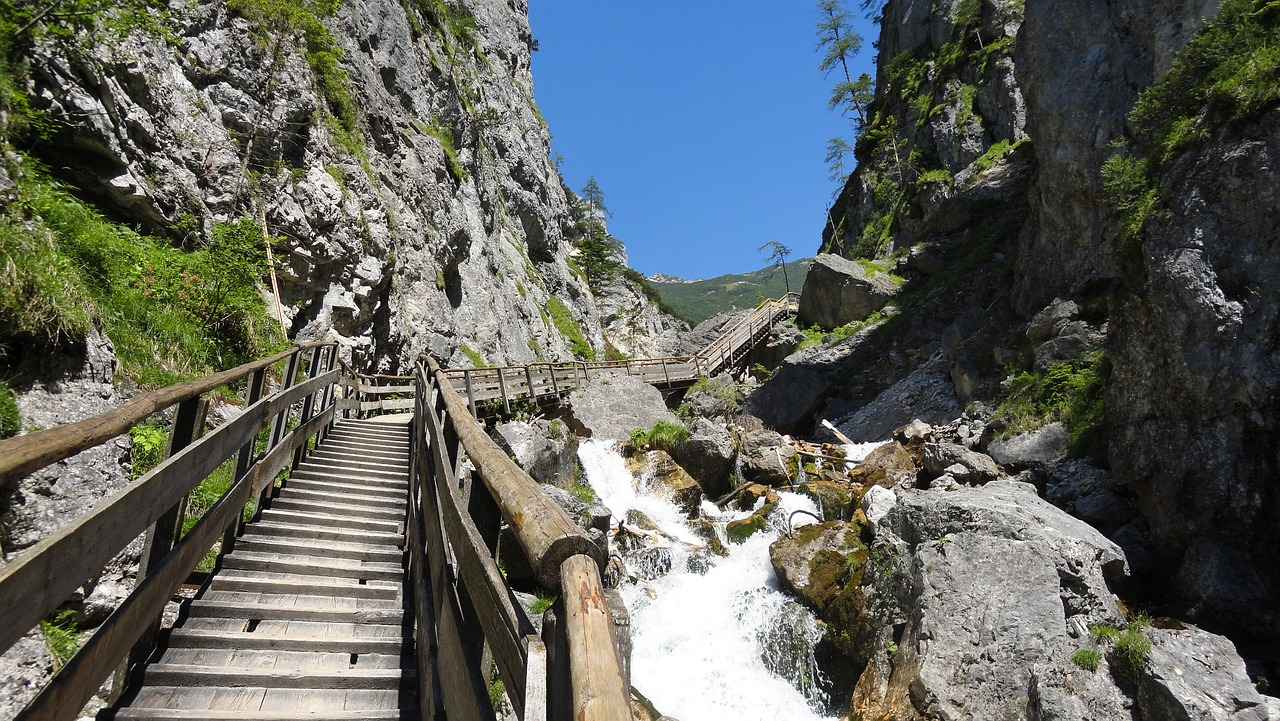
x=482 y=386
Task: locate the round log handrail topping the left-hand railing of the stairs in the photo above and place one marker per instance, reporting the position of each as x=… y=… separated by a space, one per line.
x=24 y=455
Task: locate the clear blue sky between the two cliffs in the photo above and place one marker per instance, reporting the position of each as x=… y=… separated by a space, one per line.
x=706 y=124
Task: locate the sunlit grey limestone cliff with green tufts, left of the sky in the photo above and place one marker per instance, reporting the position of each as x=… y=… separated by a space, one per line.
x=410 y=180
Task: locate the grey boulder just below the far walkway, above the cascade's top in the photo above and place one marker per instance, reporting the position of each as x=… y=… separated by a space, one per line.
x=612 y=405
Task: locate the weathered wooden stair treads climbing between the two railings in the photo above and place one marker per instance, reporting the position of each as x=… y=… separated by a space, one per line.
x=307 y=618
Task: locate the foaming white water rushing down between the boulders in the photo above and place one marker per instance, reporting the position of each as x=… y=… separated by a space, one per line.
x=715 y=638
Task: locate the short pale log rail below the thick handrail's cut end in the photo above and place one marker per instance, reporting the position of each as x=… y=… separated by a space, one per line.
x=600 y=692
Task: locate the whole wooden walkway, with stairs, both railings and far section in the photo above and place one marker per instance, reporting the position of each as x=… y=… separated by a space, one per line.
x=356 y=555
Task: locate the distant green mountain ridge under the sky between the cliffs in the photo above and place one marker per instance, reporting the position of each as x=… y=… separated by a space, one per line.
x=700 y=300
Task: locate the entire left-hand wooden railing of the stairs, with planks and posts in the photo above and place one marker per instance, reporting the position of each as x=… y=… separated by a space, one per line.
x=44 y=577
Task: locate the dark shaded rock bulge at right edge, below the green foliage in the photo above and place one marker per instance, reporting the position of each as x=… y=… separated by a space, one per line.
x=1196 y=382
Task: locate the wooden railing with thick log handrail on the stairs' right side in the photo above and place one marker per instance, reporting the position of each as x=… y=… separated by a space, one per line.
x=454 y=532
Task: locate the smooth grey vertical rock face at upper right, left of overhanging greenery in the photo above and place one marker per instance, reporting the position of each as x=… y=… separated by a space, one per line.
x=1081 y=79
